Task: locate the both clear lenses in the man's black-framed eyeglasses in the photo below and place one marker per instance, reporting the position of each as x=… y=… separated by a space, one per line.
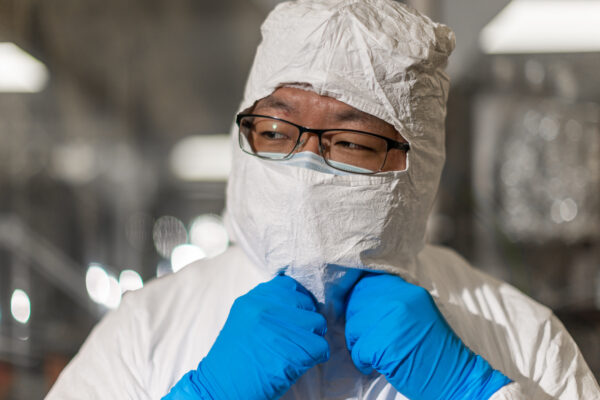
x=275 y=139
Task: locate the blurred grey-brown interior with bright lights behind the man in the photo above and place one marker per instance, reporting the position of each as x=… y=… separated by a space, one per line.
x=114 y=156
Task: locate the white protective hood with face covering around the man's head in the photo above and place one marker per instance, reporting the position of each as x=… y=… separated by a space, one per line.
x=382 y=58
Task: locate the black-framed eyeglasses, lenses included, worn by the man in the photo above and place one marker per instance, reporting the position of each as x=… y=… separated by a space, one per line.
x=344 y=149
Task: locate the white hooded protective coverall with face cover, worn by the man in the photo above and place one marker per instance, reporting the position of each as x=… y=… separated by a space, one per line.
x=387 y=60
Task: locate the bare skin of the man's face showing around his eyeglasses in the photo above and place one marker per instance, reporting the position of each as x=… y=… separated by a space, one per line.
x=311 y=110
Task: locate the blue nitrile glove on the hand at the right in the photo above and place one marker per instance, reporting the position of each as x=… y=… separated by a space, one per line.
x=395 y=328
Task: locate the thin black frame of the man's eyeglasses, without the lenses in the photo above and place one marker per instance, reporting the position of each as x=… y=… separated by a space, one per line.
x=391 y=143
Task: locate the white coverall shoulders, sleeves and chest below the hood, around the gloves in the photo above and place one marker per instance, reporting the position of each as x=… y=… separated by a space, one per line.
x=162 y=331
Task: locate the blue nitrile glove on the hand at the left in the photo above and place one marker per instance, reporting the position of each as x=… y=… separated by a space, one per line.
x=272 y=336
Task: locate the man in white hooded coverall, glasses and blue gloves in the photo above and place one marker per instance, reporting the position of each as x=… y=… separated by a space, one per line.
x=331 y=292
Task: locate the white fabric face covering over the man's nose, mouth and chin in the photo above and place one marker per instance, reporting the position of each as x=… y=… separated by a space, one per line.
x=320 y=228
